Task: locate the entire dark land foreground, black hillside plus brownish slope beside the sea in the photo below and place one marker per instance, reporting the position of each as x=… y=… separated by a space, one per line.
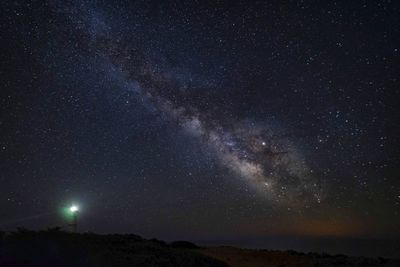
x=54 y=247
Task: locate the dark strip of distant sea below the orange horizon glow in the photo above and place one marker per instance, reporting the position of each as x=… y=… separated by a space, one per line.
x=346 y=246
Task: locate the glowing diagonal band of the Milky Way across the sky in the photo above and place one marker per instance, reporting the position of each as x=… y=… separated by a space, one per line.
x=263 y=156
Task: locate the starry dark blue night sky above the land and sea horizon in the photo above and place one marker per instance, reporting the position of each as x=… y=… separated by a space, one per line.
x=202 y=120
